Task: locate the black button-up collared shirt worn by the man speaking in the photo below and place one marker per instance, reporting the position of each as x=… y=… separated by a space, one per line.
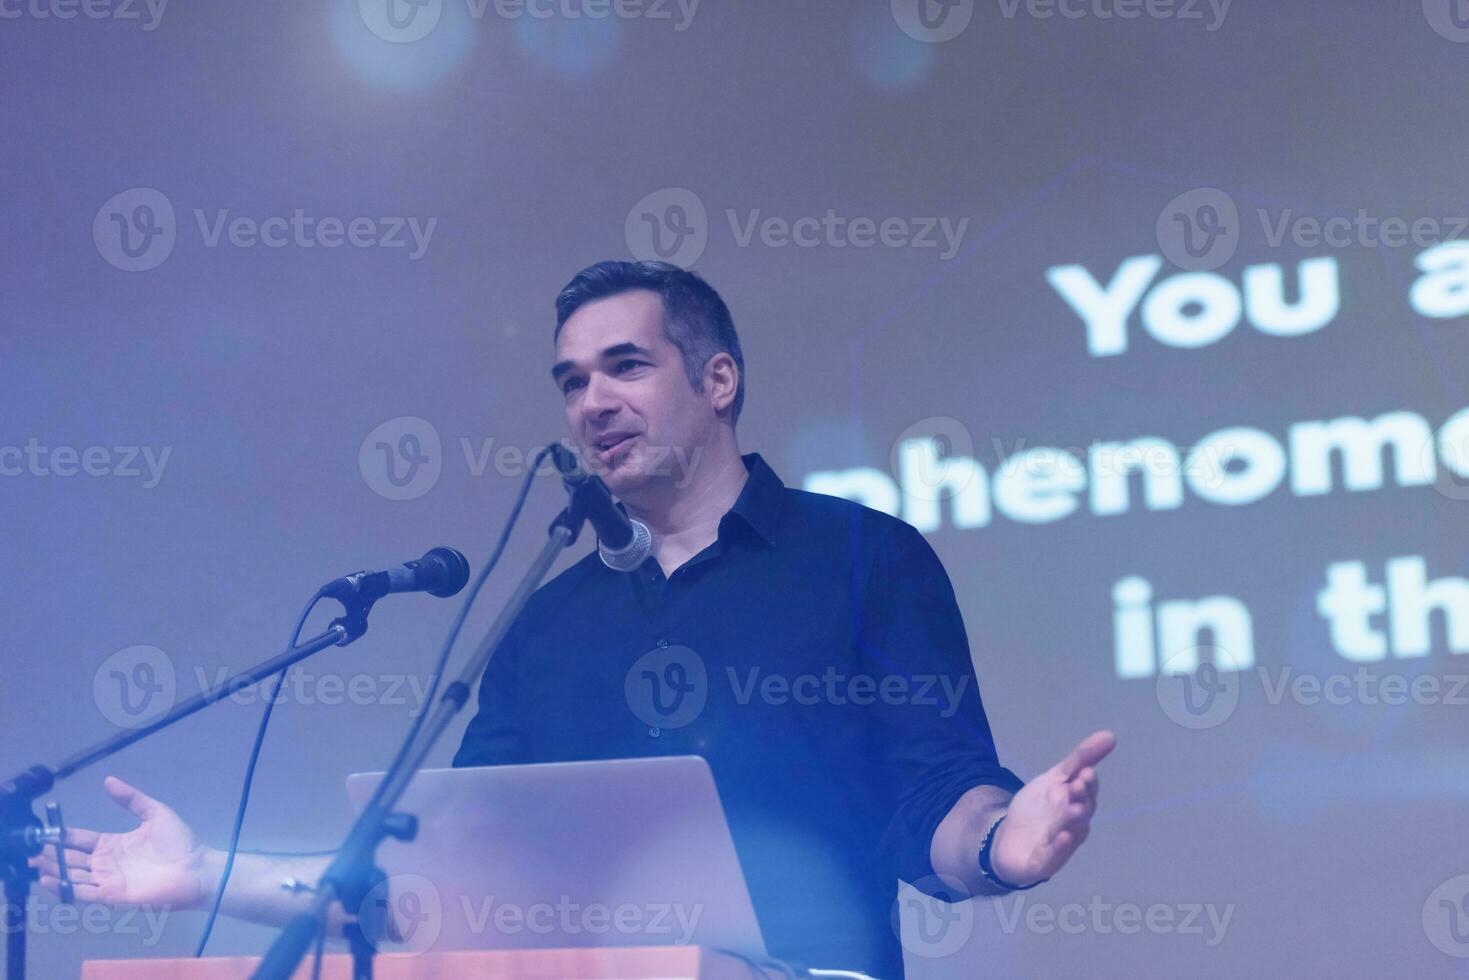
x=815 y=655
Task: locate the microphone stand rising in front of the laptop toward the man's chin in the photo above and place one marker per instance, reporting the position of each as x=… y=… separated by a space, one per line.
x=353 y=873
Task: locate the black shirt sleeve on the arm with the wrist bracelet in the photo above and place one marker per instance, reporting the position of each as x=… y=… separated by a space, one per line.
x=935 y=737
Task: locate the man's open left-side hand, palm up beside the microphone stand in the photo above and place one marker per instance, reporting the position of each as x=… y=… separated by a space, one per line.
x=156 y=863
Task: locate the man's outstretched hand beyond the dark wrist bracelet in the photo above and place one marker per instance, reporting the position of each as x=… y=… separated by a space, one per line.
x=1051 y=816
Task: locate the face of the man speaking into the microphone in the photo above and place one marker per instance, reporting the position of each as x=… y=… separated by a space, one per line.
x=625 y=383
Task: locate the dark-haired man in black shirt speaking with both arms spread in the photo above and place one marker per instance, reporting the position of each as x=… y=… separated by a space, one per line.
x=809 y=647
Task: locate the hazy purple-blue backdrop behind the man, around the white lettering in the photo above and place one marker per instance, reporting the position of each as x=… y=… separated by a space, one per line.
x=264 y=370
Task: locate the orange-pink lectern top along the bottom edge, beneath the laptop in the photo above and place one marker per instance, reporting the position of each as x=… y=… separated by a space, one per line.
x=627 y=963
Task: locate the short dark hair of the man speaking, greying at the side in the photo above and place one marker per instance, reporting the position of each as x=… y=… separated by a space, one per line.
x=694 y=317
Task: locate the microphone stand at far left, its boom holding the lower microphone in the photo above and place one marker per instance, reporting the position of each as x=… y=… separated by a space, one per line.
x=24 y=837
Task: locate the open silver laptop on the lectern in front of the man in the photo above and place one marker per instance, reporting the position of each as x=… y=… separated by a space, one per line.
x=622 y=853
